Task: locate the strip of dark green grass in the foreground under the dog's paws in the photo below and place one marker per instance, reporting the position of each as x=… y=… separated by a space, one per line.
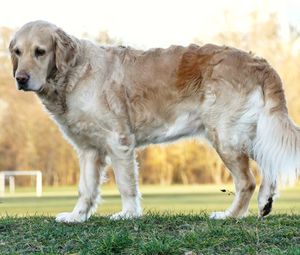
x=152 y=234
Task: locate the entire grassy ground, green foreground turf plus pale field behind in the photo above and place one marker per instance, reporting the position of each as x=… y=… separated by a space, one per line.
x=176 y=222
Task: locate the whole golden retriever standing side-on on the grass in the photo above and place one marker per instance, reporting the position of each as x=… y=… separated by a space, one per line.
x=107 y=101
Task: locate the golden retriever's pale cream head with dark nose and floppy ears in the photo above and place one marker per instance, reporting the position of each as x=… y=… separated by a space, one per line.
x=38 y=50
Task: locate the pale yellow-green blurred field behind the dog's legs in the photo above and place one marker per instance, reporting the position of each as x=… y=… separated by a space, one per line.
x=173 y=199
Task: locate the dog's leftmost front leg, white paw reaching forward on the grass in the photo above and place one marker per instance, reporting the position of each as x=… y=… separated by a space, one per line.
x=91 y=166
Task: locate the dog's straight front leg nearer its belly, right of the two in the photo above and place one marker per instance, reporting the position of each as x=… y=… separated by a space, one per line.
x=126 y=175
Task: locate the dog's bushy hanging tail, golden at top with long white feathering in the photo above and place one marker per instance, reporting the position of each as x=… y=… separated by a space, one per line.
x=276 y=147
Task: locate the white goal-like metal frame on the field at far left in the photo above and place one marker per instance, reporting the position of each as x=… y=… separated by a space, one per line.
x=11 y=178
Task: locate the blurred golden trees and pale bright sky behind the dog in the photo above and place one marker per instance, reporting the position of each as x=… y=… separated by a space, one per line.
x=30 y=140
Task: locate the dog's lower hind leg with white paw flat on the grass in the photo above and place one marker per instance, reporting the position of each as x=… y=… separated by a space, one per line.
x=238 y=164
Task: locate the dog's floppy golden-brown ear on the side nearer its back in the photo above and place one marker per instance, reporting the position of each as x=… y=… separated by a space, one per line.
x=66 y=49
